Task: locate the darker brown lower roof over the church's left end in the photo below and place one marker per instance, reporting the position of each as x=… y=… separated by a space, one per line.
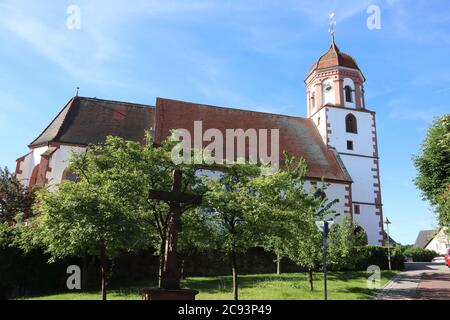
x=85 y=121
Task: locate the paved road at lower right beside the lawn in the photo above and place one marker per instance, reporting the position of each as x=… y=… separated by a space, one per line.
x=420 y=281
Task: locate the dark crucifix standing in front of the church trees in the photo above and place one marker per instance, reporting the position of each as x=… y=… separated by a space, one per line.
x=178 y=203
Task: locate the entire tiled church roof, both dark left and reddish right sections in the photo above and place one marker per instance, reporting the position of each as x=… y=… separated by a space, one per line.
x=85 y=121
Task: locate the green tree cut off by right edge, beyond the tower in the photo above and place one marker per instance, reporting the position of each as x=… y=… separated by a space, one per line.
x=433 y=168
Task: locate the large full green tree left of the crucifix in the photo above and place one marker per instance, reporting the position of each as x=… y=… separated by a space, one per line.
x=106 y=212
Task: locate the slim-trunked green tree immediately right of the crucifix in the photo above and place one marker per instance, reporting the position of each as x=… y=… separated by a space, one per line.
x=229 y=204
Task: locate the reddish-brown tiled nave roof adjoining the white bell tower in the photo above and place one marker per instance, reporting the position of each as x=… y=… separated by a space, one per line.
x=298 y=136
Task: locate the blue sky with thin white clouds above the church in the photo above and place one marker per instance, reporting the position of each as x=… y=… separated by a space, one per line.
x=250 y=54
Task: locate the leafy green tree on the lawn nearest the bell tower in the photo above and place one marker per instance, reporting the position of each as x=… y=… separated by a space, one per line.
x=289 y=208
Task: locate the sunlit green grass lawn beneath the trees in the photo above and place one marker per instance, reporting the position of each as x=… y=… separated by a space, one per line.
x=341 y=286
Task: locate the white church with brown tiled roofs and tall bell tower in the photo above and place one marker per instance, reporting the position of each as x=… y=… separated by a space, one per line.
x=337 y=139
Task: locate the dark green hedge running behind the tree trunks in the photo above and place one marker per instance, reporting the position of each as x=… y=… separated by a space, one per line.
x=30 y=274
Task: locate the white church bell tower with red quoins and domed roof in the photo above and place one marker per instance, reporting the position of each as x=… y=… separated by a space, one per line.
x=336 y=105
